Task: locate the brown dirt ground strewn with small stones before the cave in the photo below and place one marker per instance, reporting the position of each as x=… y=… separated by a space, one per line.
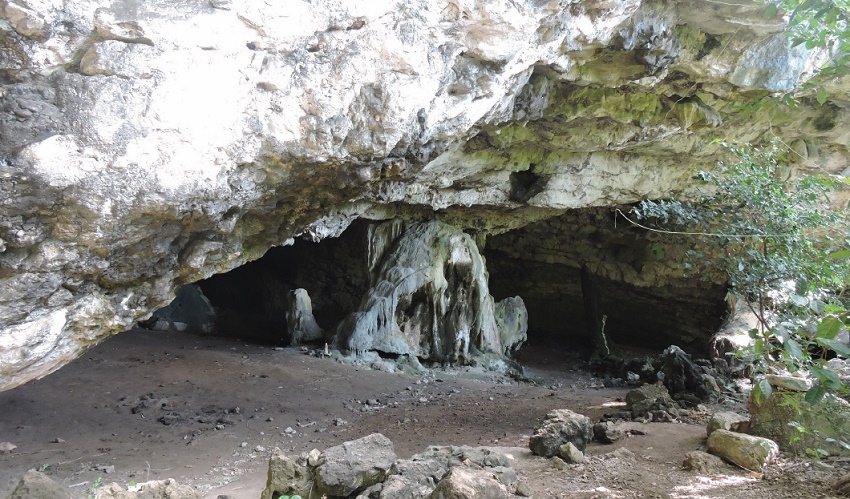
x=207 y=411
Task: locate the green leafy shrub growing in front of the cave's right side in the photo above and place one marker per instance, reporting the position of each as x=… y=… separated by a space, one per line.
x=783 y=251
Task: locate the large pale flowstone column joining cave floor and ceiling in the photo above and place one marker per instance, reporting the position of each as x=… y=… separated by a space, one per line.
x=429 y=298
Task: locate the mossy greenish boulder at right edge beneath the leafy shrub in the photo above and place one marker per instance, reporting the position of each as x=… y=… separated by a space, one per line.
x=829 y=419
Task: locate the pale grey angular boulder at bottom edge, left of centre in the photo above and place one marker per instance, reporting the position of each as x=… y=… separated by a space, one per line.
x=355 y=465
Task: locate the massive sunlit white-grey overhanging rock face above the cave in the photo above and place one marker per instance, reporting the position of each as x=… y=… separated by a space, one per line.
x=151 y=144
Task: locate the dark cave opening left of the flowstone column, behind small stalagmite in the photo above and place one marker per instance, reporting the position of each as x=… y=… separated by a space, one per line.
x=252 y=301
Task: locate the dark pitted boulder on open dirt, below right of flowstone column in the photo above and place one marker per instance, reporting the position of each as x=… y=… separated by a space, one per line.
x=559 y=427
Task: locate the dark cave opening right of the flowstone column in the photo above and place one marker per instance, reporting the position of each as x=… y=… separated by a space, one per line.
x=580 y=272
